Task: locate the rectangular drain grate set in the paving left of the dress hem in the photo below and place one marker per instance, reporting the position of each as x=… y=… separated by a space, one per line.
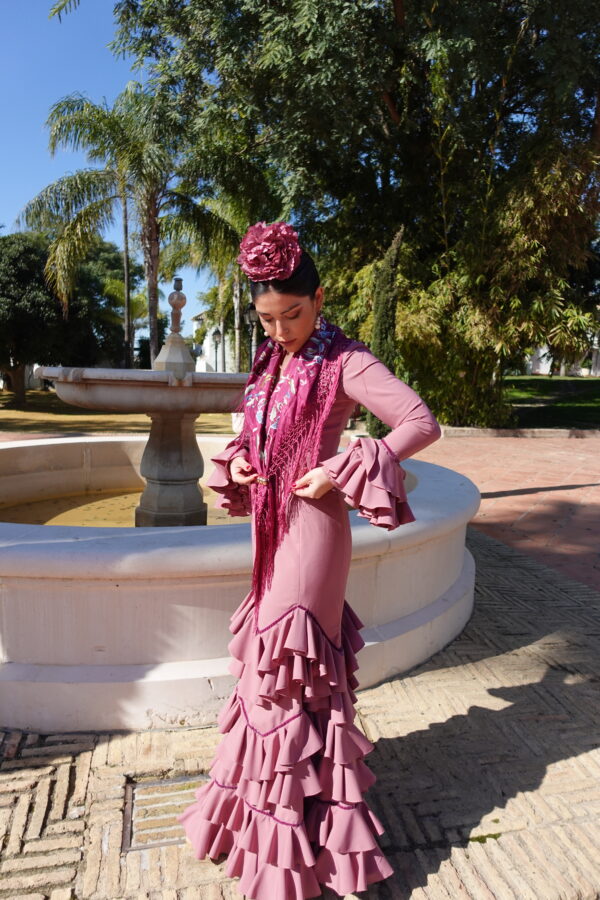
x=151 y=810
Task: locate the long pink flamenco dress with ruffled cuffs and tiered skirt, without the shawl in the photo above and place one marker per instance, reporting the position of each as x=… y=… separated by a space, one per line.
x=285 y=796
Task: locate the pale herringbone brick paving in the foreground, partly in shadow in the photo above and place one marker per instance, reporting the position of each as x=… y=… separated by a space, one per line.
x=487 y=759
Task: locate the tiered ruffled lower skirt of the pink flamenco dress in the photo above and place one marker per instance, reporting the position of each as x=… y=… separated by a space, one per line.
x=285 y=796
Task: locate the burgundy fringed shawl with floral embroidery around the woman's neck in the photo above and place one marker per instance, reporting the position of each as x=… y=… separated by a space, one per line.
x=284 y=442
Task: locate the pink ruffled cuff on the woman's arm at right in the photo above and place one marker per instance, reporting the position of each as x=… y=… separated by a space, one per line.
x=372 y=480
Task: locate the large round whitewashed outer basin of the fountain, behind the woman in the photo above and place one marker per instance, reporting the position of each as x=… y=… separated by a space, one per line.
x=127 y=628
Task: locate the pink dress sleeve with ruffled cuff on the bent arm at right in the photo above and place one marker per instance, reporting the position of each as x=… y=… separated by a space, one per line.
x=368 y=472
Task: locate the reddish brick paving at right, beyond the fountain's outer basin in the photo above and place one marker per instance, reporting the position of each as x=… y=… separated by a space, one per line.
x=539 y=495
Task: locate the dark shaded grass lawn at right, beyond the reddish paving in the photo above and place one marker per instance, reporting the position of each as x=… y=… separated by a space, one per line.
x=543 y=402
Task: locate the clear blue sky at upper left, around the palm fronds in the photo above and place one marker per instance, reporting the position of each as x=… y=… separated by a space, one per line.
x=43 y=60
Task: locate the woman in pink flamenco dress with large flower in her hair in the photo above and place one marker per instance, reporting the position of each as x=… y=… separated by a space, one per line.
x=285 y=796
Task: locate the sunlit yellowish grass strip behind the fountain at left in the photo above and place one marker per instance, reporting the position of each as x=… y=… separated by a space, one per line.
x=46 y=414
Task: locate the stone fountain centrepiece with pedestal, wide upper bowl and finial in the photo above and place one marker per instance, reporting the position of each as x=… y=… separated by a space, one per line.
x=173 y=396
